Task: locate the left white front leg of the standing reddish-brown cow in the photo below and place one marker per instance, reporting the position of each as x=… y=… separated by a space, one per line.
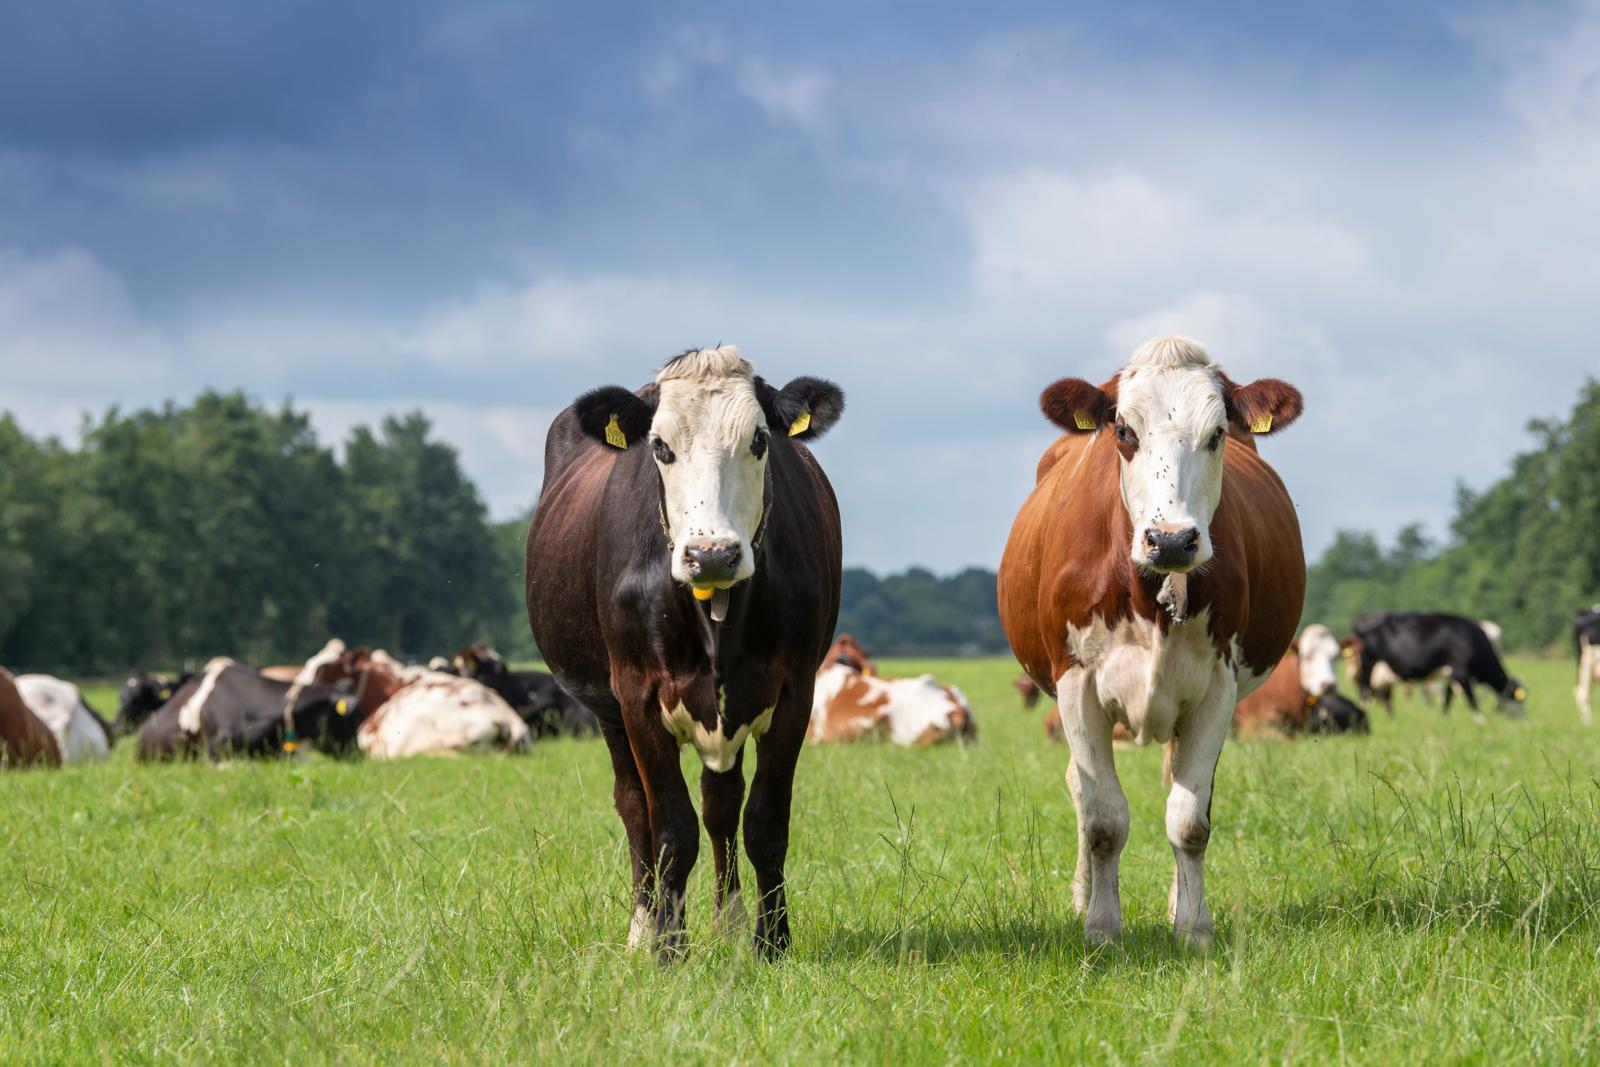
x=1102 y=807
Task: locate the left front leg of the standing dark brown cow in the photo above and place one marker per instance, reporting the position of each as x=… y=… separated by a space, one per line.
x=674 y=831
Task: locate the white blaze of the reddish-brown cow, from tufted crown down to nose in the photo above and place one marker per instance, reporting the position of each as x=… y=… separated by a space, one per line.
x=1172 y=399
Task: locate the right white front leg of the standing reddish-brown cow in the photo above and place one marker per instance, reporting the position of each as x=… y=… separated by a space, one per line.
x=1196 y=749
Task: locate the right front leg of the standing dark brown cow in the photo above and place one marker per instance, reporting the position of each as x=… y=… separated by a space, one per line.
x=767 y=817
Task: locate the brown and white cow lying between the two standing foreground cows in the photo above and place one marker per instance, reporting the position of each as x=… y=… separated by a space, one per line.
x=913 y=713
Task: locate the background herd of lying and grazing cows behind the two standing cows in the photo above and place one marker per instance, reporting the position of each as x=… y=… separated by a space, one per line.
x=345 y=701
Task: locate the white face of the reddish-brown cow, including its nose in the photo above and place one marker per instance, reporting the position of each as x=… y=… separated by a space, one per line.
x=1172 y=425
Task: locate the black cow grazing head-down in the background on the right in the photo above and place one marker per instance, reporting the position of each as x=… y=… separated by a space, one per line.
x=1417 y=647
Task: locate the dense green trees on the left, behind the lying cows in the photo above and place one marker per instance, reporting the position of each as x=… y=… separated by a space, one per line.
x=175 y=535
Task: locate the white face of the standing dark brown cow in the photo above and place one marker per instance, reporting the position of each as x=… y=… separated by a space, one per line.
x=711 y=442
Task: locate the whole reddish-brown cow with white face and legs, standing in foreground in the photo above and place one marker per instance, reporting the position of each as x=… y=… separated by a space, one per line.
x=1153 y=578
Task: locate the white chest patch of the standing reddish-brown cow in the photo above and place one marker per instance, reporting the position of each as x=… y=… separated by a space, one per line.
x=1150 y=681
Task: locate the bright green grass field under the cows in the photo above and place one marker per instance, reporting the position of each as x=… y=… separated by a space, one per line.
x=1426 y=893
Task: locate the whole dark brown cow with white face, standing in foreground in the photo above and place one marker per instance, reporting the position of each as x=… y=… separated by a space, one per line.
x=684 y=573
